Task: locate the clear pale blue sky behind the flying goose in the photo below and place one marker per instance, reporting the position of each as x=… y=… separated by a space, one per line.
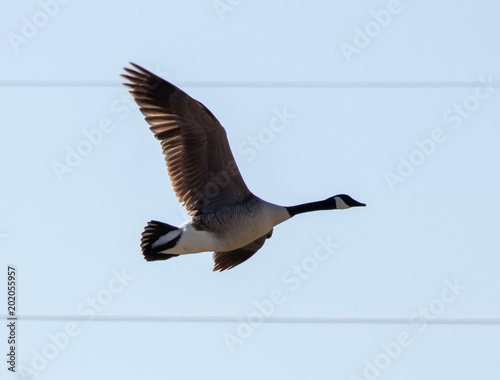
x=405 y=288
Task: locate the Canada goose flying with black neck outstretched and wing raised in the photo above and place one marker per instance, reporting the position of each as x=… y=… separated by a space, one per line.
x=227 y=218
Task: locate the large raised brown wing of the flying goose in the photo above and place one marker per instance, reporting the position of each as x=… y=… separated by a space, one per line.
x=199 y=161
